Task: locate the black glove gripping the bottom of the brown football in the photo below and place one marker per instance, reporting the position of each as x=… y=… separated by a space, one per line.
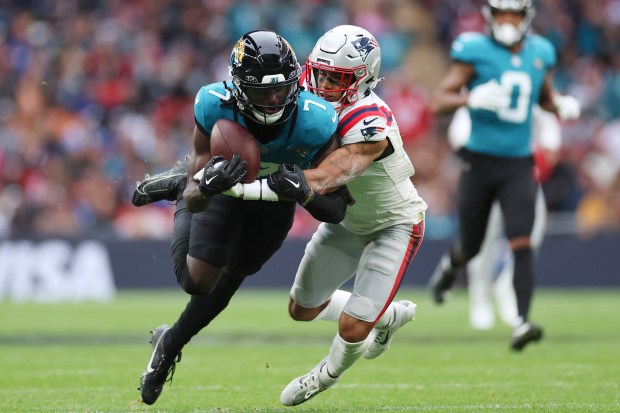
x=220 y=174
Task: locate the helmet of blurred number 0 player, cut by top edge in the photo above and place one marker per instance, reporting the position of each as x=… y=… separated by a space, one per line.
x=506 y=33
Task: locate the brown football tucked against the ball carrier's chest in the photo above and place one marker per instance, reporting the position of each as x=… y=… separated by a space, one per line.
x=229 y=138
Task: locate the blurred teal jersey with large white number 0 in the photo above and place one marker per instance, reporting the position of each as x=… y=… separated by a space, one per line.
x=507 y=132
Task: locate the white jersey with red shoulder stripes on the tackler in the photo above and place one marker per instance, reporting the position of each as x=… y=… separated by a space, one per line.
x=384 y=193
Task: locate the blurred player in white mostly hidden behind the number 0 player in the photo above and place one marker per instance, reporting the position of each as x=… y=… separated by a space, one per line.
x=489 y=274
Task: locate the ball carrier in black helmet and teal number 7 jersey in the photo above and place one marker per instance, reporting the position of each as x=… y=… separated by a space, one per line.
x=219 y=240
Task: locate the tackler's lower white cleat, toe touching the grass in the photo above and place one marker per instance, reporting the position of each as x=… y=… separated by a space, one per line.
x=307 y=386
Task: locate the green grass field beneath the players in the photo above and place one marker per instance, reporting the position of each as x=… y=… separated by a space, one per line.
x=88 y=358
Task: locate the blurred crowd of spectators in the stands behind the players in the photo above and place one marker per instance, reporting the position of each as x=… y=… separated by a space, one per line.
x=96 y=93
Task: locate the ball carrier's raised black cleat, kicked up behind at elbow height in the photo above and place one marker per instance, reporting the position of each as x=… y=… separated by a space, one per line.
x=163 y=186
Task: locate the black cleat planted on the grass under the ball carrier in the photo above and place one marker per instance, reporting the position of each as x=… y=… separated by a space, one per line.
x=159 y=367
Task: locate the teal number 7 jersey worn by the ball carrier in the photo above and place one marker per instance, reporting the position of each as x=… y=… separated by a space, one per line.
x=315 y=124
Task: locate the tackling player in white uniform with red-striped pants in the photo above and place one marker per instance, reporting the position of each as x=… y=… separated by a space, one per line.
x=381 y=232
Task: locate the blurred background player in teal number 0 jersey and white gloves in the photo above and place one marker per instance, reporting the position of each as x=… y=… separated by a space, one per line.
x=506 y=73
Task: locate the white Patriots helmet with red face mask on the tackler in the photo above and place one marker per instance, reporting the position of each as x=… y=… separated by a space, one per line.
x=349 y=58
